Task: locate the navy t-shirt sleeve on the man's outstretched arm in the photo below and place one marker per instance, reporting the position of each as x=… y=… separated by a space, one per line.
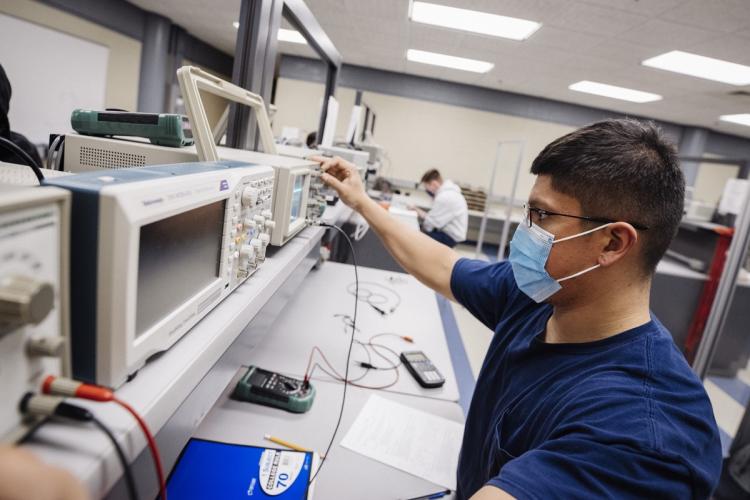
x=483 y=288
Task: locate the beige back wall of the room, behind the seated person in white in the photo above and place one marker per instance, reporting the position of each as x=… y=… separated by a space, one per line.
x=418 y=135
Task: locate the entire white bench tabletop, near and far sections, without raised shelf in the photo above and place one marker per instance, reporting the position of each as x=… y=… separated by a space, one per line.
x=311 y=320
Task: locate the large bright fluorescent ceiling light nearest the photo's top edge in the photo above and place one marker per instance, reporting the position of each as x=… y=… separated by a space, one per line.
x=472 y=20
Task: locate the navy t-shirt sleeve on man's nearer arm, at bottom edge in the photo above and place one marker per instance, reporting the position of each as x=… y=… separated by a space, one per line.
x=571 y=467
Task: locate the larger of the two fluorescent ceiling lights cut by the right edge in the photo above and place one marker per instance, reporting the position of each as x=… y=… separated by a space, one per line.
x=701 y=67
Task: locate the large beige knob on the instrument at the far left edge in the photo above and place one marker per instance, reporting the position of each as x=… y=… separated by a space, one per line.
x=24 y=300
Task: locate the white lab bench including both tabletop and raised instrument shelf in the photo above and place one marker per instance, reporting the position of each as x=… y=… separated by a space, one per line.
x=271 y=321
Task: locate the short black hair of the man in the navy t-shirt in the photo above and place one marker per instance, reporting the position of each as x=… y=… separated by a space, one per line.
x=624 y=170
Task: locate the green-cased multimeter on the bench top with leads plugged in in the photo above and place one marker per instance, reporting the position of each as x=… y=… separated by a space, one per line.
x=273 y=389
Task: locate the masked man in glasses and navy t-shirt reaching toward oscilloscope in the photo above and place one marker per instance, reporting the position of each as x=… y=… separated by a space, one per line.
x=583 y=393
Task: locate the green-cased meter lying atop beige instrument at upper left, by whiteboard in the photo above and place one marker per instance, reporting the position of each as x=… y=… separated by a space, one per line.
x=164 y=129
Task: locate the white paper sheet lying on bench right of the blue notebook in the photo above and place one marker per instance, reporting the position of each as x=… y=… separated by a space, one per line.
x=410 y=440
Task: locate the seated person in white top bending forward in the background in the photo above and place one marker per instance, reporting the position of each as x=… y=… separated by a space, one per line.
x=448 y=219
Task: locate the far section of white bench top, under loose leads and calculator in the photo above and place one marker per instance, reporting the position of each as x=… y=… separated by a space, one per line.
x=314 y=318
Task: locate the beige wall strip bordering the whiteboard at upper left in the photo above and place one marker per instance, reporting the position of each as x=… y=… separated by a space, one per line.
x=123 y=68
